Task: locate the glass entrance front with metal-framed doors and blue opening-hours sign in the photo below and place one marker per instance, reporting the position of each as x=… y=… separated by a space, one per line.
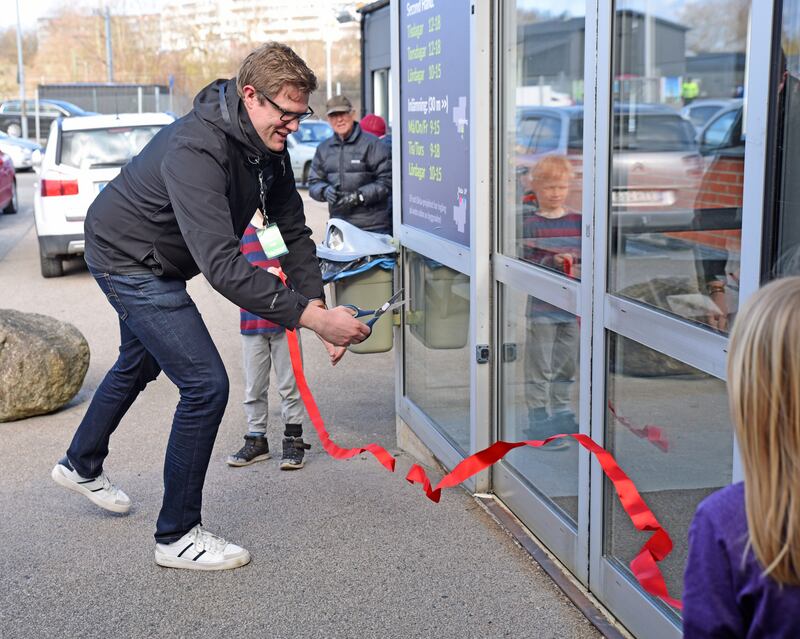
x=606 y=314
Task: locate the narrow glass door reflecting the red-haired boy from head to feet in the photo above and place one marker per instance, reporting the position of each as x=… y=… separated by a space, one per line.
x=543 y=256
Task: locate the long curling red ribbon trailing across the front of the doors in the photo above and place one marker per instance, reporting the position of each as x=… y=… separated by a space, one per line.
x=644 y=565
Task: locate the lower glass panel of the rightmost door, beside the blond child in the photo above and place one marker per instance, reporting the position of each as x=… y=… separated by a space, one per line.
x=648 y=389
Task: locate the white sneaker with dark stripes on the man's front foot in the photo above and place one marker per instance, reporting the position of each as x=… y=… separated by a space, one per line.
x=201 y=550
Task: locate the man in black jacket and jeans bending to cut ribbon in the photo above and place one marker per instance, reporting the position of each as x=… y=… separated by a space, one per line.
x=178 y=209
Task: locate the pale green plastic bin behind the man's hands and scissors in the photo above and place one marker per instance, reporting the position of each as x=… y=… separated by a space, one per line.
x=368 y=290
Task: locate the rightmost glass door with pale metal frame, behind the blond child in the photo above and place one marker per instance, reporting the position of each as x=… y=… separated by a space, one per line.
x=676 y=102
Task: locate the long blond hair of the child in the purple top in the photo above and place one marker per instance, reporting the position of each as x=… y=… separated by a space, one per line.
x=764 y=396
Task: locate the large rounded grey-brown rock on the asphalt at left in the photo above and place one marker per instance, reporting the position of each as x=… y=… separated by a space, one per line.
x=42 y=364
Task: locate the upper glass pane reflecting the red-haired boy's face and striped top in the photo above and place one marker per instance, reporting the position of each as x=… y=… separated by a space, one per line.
x=543 y=134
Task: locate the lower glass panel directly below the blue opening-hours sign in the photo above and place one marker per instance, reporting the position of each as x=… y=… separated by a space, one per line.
x=437 y=357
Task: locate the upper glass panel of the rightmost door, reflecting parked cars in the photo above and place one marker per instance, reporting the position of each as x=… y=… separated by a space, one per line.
x=677 y=156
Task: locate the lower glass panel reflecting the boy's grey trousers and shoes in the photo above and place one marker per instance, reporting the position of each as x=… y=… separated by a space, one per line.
x=539 y=395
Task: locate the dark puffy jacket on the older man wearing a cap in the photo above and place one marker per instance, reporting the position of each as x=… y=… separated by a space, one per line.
x=362 y=162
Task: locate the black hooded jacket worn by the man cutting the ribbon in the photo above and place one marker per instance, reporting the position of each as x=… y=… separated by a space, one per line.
x=180 y=207
